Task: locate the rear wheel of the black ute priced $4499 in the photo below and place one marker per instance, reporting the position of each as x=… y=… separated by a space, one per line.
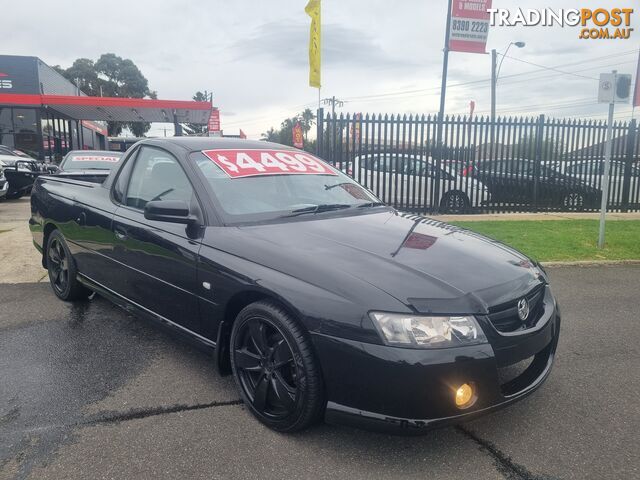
x=63 y=274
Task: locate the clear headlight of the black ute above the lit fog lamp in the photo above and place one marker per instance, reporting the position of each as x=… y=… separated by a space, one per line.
x=406 y=330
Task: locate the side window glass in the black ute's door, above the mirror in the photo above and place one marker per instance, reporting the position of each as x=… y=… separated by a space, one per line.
x=156 y=175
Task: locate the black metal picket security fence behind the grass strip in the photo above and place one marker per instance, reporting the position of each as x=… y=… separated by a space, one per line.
x=512 y=164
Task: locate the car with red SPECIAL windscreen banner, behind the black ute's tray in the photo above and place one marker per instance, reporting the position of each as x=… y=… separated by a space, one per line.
x=89 y=165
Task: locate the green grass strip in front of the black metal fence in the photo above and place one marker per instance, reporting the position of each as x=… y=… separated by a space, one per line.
x=564 y=240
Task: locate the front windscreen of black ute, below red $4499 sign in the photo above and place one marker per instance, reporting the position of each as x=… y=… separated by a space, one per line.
x=268 y=196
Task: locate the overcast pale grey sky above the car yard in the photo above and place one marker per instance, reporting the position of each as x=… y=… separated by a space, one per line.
x=379 y=56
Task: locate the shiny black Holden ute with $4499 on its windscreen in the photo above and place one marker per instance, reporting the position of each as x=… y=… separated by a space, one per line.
x=320 y=300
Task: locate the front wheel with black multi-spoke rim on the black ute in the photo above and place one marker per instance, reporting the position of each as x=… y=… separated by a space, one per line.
x=275 y=368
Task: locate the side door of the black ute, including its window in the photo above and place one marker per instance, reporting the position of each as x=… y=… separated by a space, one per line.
x=159 y=258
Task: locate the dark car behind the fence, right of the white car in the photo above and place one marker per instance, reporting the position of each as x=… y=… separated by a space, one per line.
x=512 y=182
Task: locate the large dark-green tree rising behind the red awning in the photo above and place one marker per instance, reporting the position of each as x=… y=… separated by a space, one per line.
x=111 y=76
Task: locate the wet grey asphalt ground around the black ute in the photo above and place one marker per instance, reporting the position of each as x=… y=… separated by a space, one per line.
x=89 y=391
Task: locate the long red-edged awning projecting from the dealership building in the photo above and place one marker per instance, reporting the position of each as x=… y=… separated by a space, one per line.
x=115 y=108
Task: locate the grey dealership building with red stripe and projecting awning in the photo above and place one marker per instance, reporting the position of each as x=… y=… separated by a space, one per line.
x=45 y=115
